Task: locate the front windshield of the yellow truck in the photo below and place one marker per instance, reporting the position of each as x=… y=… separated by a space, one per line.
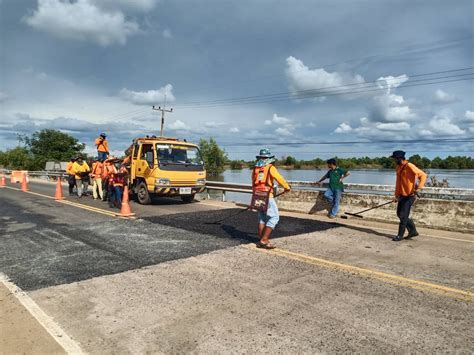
x=178 y=155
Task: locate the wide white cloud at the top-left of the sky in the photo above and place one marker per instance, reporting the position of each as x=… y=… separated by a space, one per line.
x=82 y=20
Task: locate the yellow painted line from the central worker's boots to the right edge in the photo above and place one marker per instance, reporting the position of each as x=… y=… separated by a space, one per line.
x=390 y=278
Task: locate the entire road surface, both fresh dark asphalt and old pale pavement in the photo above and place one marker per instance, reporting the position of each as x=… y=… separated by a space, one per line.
x=167 y=282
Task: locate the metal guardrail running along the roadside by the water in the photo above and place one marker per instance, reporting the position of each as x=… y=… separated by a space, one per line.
x=374 y=189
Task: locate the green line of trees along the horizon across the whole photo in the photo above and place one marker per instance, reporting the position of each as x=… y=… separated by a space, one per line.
x=52 y=145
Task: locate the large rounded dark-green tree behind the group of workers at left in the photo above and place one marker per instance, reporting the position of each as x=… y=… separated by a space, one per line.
x=49 y=144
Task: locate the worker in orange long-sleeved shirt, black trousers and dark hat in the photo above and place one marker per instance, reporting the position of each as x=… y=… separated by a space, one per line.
x=406 y=193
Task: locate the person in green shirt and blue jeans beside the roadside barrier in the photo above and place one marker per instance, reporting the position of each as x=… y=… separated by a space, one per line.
x=333 y=194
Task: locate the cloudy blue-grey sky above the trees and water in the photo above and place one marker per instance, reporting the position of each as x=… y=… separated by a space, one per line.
x=378 y=75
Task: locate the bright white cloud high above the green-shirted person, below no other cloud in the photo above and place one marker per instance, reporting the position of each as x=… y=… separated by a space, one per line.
x=301 y=79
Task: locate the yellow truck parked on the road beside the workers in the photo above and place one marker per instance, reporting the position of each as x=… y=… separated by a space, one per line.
x=161 y=166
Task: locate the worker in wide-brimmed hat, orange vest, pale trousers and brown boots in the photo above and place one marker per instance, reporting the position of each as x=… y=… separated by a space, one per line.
x=265 y=179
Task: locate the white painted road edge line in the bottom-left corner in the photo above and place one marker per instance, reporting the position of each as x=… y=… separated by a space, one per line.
x=56 y=332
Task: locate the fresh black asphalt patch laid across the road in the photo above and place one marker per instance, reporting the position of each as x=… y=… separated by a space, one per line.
x=44 y=243
